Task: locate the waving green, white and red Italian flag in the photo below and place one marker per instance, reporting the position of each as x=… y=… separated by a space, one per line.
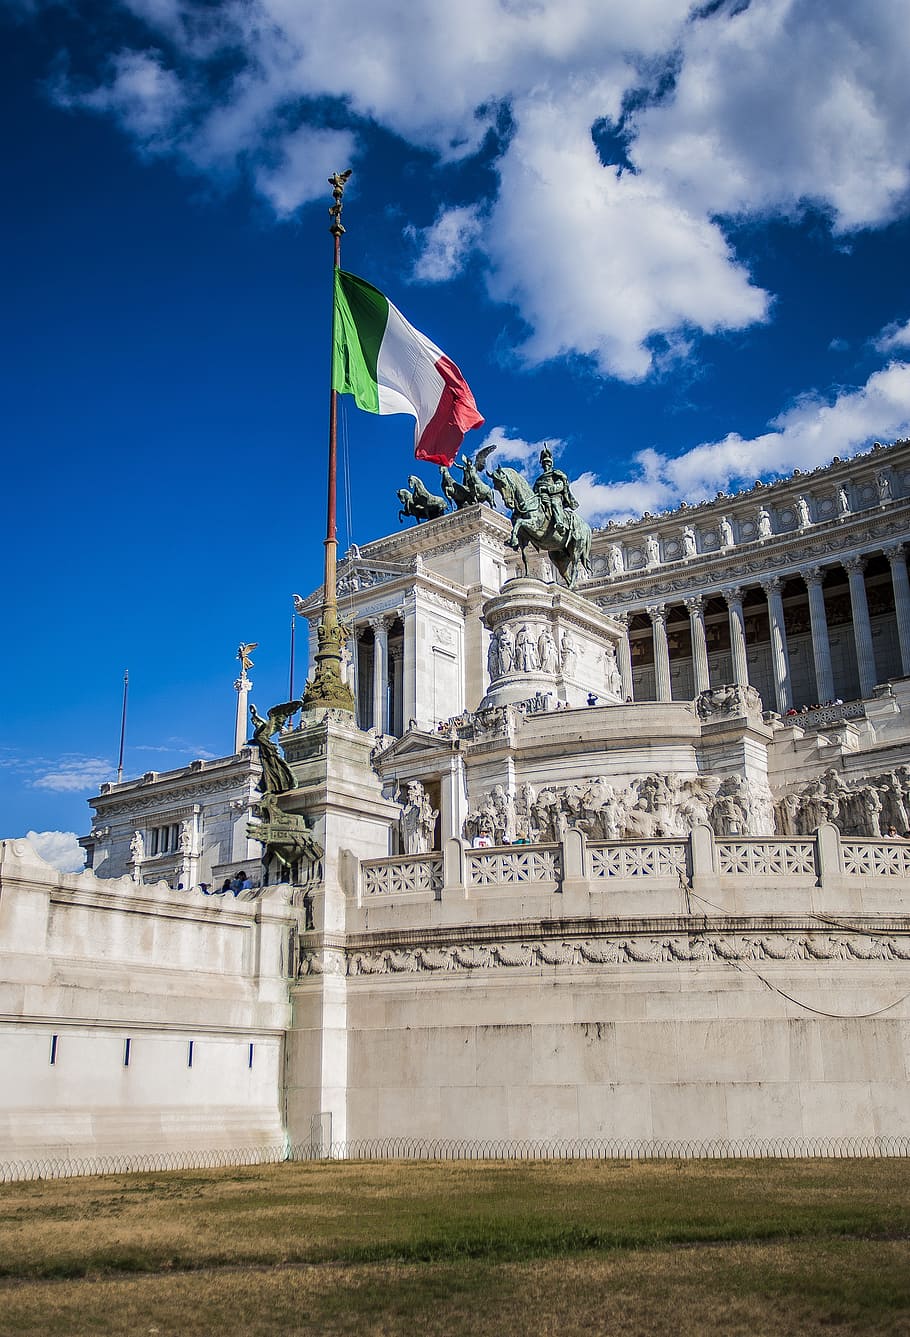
x=392 y=368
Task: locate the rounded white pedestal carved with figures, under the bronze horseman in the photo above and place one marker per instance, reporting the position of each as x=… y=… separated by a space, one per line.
x=550 y=641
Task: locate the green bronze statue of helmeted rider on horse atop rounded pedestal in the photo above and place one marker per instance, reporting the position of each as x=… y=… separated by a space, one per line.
x=547 y=518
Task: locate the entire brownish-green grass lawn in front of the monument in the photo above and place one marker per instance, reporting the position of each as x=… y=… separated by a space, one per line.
x=734 y=1248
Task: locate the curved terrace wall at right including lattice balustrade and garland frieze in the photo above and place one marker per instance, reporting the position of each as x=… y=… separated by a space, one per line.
x=765 y=994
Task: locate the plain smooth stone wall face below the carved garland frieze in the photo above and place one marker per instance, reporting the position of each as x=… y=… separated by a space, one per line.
x=665 y=1053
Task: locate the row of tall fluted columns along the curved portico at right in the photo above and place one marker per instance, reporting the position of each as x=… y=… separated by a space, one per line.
x=813 y=578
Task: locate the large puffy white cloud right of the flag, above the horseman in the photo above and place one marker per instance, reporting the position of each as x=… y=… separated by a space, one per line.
x=637 y=268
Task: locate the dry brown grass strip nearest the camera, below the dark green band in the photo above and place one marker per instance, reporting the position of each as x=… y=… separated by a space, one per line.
x=742 y=1291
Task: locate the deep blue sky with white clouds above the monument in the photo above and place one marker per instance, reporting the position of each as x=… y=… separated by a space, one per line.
x=671 y=239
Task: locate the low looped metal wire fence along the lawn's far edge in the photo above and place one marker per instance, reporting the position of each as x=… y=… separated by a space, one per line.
x=458 y=1149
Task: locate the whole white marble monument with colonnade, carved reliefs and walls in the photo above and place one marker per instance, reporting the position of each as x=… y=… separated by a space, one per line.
x=590 y=868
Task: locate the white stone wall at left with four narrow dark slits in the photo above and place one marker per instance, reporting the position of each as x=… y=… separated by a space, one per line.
x=100 y=963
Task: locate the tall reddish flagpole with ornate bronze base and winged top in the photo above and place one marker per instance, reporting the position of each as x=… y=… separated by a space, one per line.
x=327 y=688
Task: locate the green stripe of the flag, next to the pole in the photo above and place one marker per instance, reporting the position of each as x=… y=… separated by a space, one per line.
x=360 y=320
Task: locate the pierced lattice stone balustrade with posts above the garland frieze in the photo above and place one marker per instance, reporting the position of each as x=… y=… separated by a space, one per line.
x=701 y=863
